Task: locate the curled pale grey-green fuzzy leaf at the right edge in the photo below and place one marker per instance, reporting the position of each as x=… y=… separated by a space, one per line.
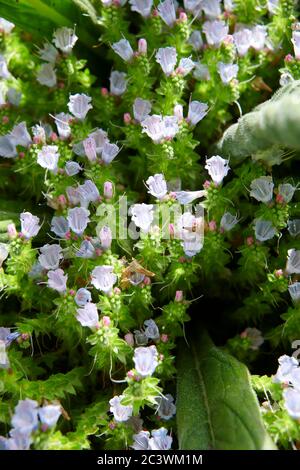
x=269 y=127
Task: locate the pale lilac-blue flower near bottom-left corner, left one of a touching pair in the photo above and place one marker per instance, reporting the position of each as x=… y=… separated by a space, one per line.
x=25 y=417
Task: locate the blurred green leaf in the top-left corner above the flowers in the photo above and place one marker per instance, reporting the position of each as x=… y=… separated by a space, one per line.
x=41 y=17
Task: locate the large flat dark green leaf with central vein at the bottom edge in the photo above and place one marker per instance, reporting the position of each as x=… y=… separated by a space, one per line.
x=216 y=406
